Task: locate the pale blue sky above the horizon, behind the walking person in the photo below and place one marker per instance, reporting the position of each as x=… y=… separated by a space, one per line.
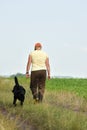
x=61 y=27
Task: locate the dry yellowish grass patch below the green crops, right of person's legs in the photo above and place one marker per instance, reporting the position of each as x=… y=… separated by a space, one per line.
x=65 y=99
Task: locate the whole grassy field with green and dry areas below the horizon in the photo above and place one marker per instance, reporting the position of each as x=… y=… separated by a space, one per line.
x=64 y=106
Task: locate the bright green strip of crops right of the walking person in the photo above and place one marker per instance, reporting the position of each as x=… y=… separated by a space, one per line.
x=78 y=86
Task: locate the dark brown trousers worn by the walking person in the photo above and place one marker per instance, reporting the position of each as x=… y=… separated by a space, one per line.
x=37 y=83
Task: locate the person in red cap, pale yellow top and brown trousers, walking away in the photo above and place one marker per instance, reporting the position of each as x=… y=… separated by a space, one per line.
x=38 y=63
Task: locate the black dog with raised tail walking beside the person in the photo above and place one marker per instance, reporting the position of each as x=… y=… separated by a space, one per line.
x=19 y=92
